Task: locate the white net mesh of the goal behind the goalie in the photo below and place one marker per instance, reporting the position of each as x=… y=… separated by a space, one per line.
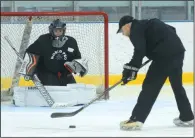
x=87 y=30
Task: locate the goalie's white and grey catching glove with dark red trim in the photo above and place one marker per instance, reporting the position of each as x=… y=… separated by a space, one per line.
x=79 y=66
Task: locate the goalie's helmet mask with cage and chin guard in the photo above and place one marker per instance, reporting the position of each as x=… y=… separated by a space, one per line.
x=57 y=30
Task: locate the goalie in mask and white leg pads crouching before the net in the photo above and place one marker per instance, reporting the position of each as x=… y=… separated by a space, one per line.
x=54 y=57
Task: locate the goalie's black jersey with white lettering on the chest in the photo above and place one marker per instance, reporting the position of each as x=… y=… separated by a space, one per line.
x=52 y=59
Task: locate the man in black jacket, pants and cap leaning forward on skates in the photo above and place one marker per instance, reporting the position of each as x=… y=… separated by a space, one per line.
x=160 y=43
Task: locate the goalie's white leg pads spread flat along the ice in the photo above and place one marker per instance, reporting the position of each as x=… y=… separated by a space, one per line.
x=64 y=96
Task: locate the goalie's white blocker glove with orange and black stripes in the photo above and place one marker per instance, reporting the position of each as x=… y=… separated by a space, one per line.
x=29 y=65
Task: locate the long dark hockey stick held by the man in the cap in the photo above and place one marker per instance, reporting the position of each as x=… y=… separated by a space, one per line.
x=70 y=114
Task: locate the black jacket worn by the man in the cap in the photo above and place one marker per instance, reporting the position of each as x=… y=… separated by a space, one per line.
x=153 y=39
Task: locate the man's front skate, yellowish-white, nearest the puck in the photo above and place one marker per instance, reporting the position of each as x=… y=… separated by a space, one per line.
x=130 y=125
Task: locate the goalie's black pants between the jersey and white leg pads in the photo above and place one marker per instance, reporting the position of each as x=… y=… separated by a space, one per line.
x=54 y=79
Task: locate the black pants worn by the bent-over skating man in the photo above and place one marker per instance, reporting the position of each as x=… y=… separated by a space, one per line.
x=156 y=76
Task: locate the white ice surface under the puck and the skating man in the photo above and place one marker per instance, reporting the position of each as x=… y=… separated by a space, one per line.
x=100 y=119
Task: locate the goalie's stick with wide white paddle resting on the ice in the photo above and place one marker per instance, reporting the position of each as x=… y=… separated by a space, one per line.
x=38 y=83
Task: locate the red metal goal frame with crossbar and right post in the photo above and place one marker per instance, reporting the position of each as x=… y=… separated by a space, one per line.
x=83 y=13
